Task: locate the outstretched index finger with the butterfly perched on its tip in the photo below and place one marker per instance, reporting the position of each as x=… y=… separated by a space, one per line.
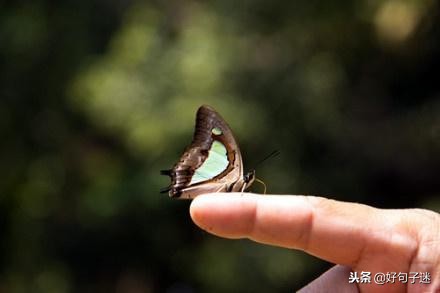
x=339 y=232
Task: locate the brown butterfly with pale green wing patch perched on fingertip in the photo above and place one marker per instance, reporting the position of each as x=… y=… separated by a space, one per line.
x=211 y=163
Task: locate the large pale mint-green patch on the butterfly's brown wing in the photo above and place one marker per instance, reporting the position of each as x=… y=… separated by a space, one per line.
x=216 y=163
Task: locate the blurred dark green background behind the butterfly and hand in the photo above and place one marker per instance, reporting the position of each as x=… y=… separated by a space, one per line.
x=98 y=96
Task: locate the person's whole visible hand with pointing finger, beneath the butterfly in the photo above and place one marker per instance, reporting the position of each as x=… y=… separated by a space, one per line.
x=355 y=237
